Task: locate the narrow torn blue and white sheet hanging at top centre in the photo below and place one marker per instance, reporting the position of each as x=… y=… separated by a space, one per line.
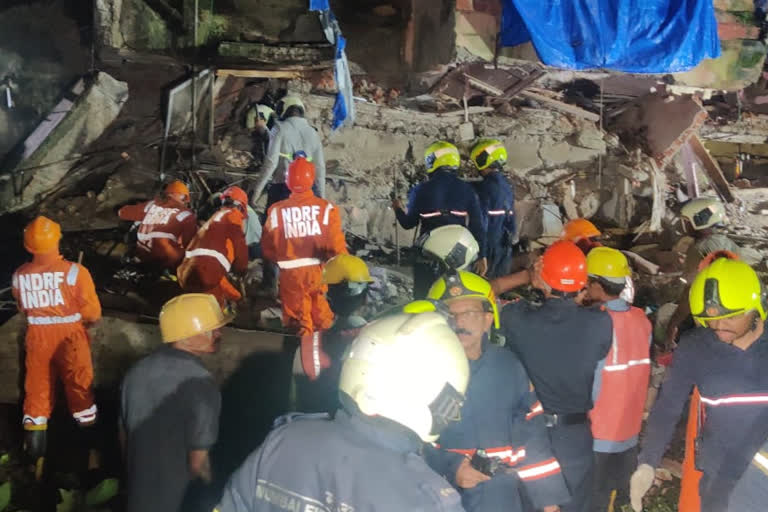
x=344 y=107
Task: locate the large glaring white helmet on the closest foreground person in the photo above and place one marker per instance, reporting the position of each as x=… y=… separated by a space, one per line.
x=409 y=368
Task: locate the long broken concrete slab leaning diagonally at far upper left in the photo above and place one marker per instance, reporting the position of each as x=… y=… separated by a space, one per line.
x=49 y=152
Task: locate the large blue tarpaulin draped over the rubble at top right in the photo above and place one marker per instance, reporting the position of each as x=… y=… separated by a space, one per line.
x=637 y=36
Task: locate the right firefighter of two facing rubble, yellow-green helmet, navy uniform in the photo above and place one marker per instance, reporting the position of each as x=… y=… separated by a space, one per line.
x=497 y=202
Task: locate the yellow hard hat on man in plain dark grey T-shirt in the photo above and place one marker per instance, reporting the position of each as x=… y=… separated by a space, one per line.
x=190 y=314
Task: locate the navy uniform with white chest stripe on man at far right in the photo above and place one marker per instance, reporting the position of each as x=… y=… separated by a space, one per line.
x=734 y=397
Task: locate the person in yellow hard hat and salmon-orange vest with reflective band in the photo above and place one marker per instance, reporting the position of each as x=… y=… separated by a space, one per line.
x=618 y=412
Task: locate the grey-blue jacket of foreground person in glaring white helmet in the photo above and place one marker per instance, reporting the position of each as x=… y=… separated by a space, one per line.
x=348 y=464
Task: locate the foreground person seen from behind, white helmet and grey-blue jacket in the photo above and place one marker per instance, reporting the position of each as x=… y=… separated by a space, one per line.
x=402 y=382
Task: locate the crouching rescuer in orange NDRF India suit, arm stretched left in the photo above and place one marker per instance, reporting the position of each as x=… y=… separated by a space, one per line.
x=166 y=226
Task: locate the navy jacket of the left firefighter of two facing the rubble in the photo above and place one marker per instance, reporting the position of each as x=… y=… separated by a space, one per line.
x=442 y=200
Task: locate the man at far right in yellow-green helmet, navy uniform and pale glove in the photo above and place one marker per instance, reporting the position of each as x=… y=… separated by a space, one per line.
x=726 y=362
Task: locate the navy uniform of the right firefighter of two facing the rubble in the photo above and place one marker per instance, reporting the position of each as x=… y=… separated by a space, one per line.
x=497 y=202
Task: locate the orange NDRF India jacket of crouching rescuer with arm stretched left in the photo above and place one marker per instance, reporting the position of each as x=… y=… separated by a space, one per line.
x=163 y=219
